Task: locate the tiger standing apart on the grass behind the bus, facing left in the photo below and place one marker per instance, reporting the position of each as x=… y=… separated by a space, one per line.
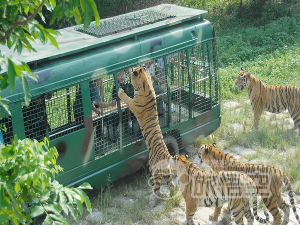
x=271 y=98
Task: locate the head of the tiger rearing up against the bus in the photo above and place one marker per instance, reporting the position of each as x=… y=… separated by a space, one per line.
x=140 y=79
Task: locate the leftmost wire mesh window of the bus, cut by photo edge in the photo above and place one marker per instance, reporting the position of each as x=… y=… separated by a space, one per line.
x=6 y=127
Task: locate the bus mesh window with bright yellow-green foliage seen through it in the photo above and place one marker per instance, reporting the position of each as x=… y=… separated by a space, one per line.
x=64 y=111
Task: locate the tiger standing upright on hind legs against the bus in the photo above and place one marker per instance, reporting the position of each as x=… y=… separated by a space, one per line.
x=144 y=107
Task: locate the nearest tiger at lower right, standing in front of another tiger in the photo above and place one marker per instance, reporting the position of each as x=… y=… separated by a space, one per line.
x=210 y=188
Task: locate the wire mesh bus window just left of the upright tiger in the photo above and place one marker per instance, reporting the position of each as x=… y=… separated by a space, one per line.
x=115 y=126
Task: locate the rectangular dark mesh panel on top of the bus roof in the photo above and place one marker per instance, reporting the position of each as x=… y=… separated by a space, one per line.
x=125 y=22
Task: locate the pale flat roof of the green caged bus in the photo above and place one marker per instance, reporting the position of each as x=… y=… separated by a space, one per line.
x=73 y=40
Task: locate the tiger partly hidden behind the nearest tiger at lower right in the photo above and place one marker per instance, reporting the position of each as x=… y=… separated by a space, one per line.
x=269 y=181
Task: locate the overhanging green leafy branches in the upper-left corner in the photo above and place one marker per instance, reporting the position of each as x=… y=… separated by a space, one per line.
x=19 y=29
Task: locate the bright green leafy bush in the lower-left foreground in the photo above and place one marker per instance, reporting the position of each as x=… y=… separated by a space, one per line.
x=28 y=187
